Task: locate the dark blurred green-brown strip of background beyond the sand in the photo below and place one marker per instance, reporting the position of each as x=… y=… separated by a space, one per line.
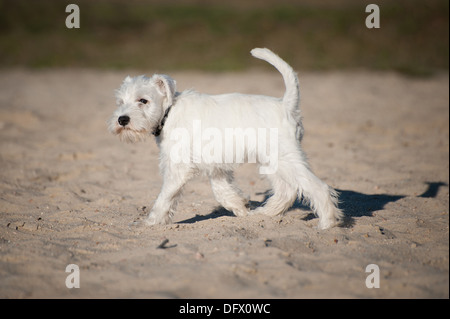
x=218 y=35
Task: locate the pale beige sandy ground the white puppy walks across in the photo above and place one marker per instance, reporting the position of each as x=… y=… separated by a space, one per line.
x=69 y=191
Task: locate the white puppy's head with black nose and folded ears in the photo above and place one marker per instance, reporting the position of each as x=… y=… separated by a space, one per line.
x=141 y=105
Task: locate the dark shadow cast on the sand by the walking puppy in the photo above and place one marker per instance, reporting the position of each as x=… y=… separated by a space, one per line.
x=353 y=204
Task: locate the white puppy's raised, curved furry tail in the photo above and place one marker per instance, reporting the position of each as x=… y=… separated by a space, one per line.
x=291 y=97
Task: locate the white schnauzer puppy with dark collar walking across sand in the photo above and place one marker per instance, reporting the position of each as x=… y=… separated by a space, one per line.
x=235 y=130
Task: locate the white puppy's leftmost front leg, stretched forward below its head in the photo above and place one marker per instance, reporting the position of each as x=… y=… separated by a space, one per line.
x=165 y=205
